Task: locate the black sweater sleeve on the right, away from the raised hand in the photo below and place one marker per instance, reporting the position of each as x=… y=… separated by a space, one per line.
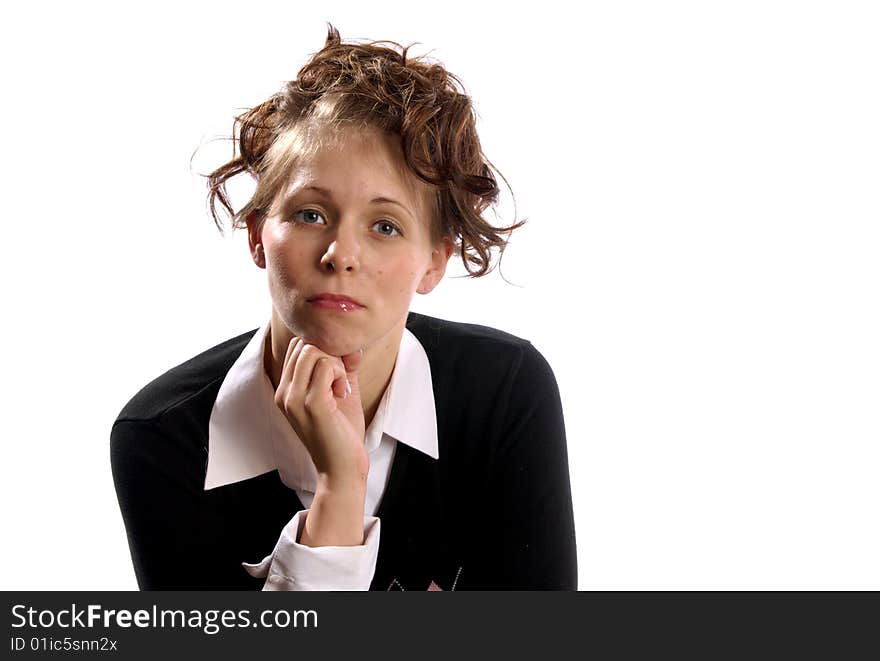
x=533 y=522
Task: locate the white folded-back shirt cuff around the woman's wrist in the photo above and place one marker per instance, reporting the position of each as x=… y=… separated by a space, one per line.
x=295 y=567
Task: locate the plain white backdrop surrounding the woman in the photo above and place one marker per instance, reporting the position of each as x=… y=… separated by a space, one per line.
x=700 y=266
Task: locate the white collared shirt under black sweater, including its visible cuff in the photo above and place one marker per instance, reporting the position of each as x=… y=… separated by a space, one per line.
x=248 y=435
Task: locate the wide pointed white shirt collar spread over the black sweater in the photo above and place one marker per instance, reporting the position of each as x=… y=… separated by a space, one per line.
x=248 y=434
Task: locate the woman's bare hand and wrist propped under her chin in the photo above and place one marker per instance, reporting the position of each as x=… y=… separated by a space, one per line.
x=320 y=396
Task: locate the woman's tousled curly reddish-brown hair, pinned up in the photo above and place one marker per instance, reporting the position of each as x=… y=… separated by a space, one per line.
x=373 y=85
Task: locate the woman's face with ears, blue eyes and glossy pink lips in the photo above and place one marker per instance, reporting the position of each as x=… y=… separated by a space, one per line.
x=347 y=243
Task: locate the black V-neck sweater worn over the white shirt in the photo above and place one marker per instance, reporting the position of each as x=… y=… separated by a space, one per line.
x=494 y=509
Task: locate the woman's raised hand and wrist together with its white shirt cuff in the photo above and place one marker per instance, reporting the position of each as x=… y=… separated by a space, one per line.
x=331 y=546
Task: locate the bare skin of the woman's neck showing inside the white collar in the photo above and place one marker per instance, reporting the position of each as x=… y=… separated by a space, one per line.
x=374 y=374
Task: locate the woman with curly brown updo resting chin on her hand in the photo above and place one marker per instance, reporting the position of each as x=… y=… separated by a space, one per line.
x=350 y=444
